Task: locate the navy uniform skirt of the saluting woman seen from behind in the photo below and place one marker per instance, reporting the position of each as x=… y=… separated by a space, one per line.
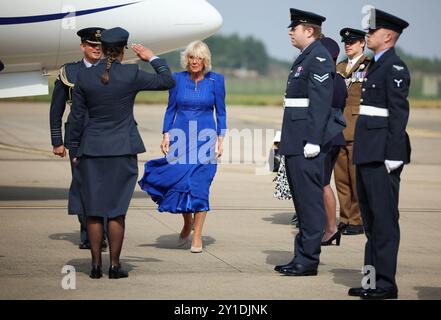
x=106 y=184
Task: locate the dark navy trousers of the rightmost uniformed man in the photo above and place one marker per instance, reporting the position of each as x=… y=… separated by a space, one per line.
x=378 y=196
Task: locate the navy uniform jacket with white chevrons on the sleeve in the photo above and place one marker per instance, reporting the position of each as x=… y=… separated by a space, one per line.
x=311 y=78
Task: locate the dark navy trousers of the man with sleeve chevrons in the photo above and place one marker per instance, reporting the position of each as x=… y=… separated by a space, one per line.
x=305 y=178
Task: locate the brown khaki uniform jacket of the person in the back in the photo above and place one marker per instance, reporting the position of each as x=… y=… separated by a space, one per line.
x=354 y=79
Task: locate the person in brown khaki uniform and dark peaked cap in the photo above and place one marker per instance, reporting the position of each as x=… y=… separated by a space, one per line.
x=353 y=69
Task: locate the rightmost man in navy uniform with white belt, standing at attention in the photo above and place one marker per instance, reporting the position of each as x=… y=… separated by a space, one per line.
x=381 y=148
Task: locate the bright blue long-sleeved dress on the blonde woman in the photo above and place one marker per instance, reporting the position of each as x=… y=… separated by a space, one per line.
x=180 y=182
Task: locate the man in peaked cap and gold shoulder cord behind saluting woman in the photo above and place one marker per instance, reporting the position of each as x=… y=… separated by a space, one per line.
x=62 y=94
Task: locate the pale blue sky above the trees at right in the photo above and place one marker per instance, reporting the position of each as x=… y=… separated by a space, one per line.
x=267 y=21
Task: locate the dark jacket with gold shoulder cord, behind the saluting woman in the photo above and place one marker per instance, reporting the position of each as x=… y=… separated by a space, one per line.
x=61 y=95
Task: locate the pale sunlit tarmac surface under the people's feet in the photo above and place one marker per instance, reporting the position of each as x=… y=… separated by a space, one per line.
x=245 y=235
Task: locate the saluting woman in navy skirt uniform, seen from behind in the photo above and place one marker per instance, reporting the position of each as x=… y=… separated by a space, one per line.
x=106 y=147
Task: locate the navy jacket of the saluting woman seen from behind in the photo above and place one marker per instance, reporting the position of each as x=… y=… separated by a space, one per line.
x=111 y=129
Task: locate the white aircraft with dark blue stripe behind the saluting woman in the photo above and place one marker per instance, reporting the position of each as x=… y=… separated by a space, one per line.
x=38 y=36
